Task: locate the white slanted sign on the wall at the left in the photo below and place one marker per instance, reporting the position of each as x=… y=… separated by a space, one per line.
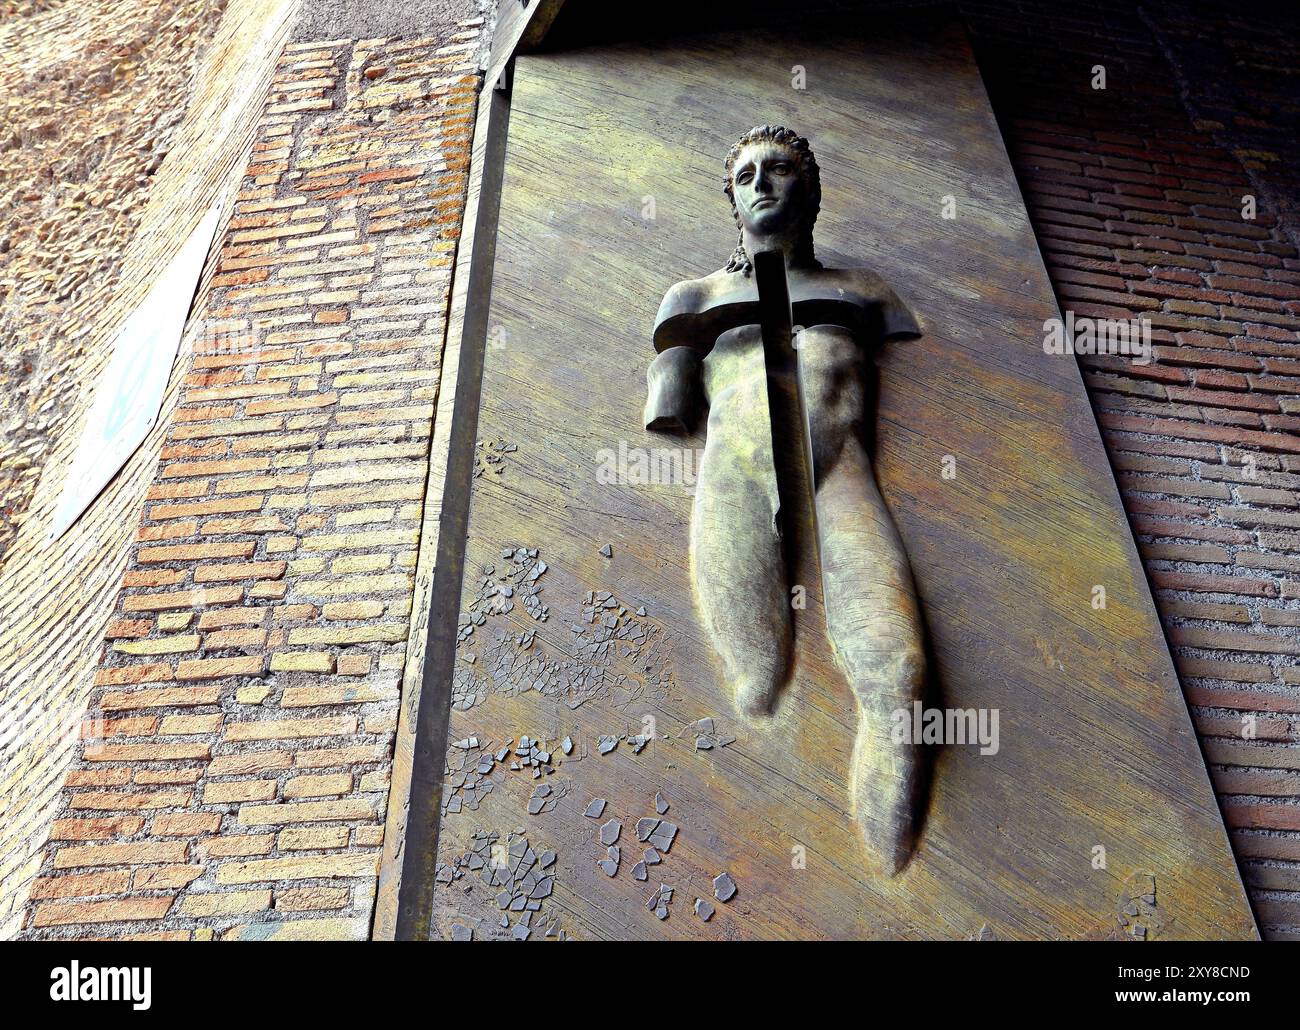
x=131 y=392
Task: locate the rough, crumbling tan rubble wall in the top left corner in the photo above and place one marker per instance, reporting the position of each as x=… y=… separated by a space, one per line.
x=90 y=101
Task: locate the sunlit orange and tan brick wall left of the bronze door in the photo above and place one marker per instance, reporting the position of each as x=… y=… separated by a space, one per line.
x=235 y=767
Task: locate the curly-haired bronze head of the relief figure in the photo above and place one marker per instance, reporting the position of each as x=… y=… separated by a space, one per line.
x=775 y=191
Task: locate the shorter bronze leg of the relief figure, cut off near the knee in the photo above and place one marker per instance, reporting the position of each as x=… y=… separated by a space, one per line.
x=738 y=568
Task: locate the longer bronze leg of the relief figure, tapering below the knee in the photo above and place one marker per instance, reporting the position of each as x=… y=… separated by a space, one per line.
x=874 y=626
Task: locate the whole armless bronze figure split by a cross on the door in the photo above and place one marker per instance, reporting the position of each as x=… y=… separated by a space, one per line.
x=782 y=350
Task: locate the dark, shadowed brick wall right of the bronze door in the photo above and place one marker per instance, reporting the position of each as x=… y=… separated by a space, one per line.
x=1136 y=194
